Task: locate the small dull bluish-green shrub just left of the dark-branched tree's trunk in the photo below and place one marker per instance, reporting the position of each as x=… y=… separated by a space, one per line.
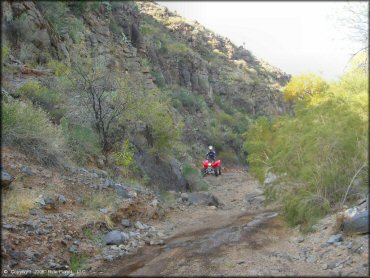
x=82 y=141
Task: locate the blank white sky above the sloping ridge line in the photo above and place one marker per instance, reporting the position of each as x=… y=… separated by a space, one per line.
x=297 y=37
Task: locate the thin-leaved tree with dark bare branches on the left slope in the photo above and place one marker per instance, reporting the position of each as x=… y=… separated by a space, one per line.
x=103 y=93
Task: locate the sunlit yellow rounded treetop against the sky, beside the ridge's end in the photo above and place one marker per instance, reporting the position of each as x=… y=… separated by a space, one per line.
x=304 y=86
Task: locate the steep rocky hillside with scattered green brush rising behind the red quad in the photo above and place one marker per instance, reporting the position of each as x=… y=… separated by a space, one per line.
x=212 y=87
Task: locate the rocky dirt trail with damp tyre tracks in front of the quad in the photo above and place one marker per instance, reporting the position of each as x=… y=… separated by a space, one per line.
x=242 y=238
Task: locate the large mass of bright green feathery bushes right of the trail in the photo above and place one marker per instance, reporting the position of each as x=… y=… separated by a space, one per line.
x=323 y=147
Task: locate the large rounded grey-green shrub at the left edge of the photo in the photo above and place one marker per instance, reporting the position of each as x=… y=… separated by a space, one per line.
x=28 y=128
